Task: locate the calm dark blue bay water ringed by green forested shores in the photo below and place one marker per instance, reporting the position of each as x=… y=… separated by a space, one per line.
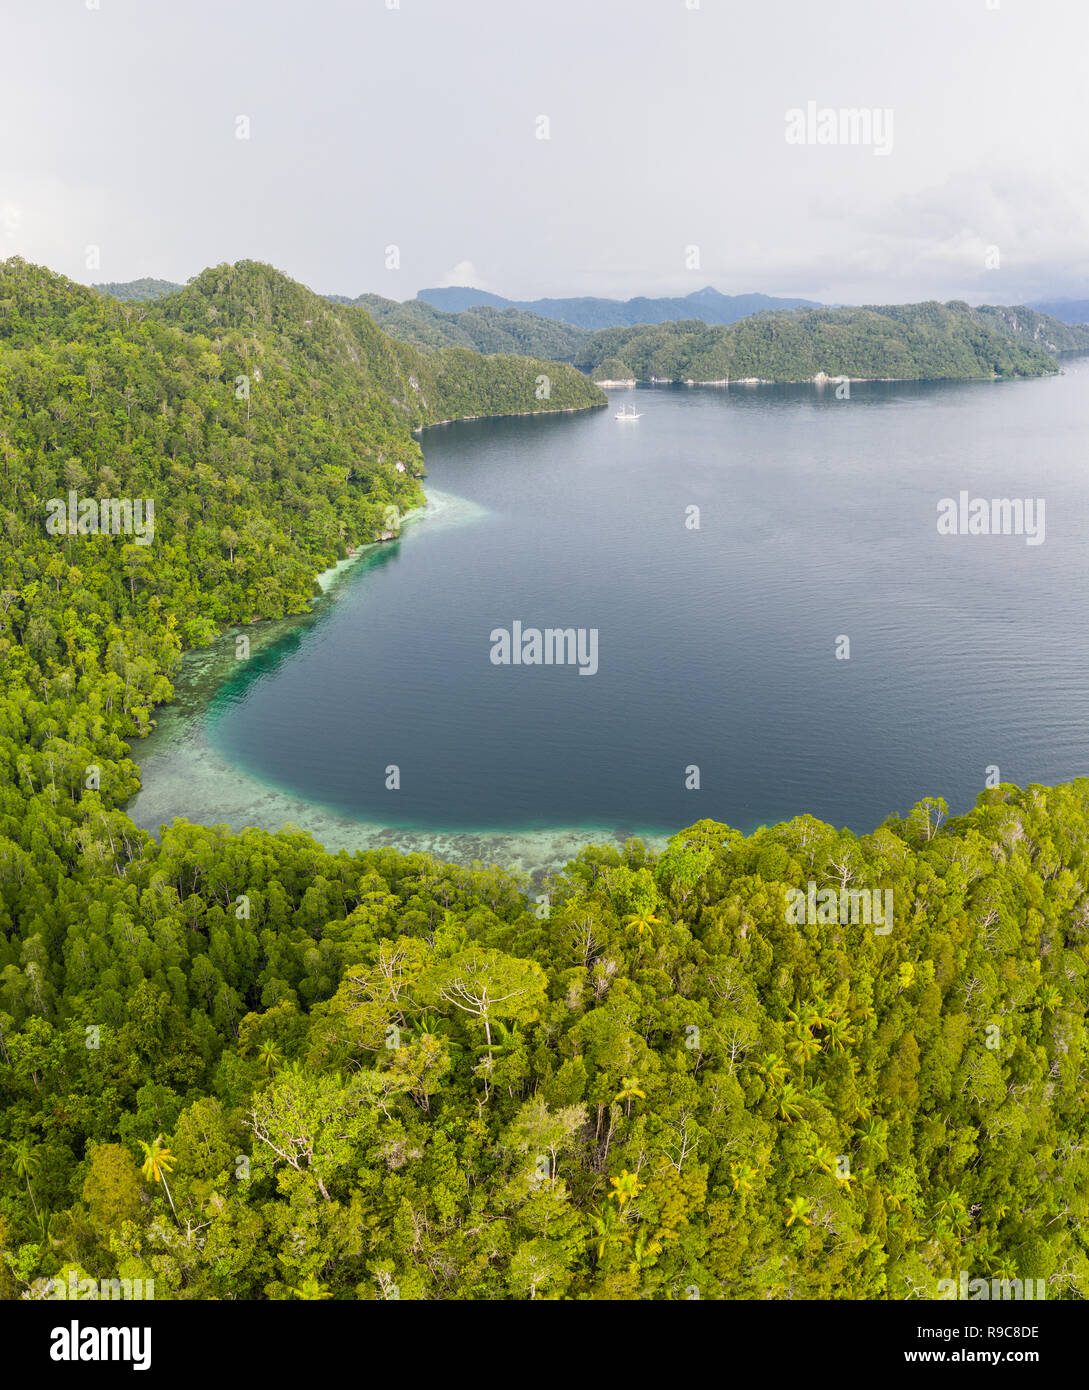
x=717 y=647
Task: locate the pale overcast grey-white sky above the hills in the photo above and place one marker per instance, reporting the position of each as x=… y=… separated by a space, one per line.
x=390 y=145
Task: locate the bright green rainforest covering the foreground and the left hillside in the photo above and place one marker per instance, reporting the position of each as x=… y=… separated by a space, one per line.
x=245 y=1068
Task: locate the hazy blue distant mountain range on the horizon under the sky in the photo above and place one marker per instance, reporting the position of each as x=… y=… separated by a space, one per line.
x=593 y=315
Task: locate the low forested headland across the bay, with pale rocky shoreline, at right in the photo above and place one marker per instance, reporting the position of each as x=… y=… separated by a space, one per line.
x=896 y=343
